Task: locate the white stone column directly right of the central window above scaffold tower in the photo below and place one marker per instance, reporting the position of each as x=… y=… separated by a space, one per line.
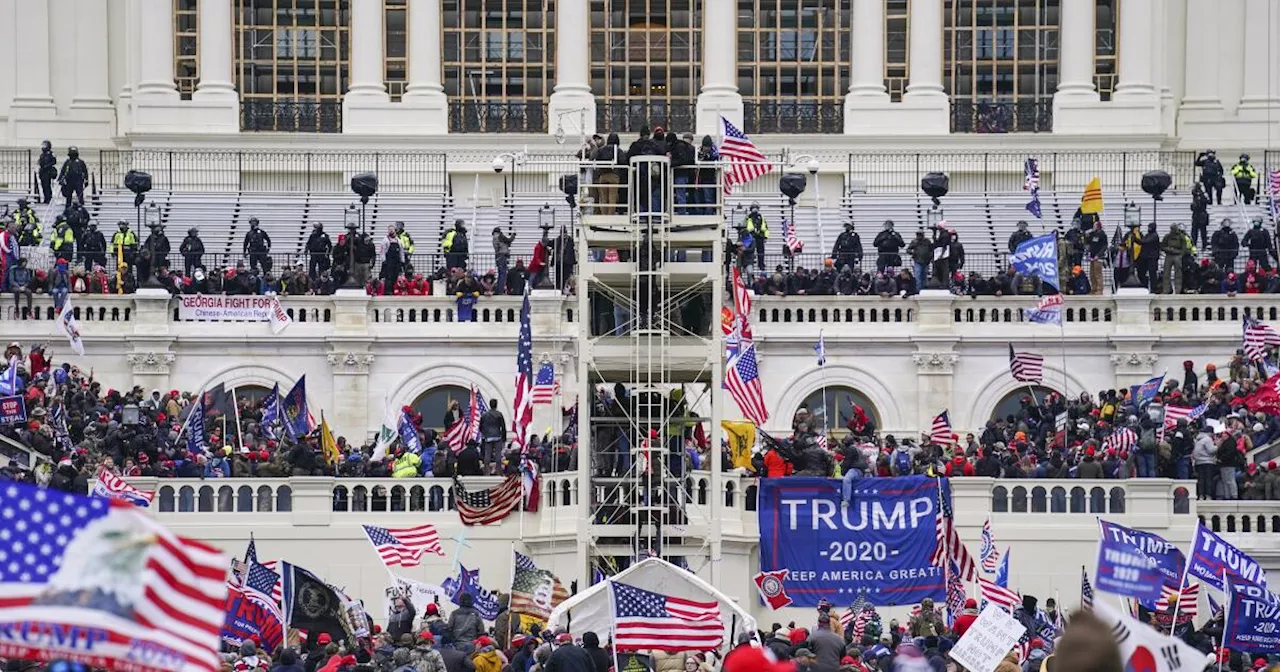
x=720 y=95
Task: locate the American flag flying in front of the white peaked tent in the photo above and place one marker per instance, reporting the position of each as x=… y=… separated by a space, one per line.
x=644 y=620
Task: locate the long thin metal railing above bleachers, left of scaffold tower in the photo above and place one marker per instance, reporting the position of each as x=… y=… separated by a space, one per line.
x=281 y=171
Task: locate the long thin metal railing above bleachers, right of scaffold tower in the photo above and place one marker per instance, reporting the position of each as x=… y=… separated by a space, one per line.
x=1004 y=171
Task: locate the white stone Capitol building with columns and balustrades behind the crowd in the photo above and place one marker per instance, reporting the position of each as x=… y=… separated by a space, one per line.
x=477 y=111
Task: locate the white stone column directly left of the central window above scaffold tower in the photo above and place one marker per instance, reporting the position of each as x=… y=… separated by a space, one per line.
x=573 y=99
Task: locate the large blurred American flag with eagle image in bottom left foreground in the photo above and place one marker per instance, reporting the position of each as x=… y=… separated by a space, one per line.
x=71 y=560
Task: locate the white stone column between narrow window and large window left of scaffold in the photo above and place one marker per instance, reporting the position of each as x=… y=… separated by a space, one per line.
x=426 y=93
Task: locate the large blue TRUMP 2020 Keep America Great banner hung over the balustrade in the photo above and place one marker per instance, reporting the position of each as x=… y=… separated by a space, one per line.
x=879 y=545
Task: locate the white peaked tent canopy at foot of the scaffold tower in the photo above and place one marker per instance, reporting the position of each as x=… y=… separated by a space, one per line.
x=592 y=610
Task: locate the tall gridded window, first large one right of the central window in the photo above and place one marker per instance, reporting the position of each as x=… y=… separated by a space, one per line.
x=793 y=65
